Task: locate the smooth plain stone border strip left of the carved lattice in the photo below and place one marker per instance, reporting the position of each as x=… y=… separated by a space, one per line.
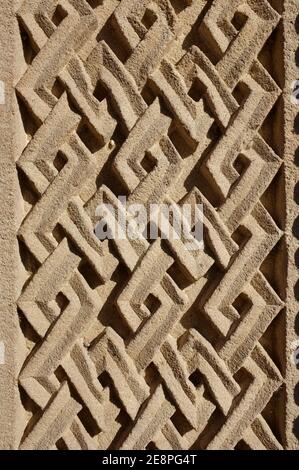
x=8 y=314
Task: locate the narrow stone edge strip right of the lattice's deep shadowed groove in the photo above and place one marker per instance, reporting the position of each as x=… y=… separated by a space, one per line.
x=291 y=154
